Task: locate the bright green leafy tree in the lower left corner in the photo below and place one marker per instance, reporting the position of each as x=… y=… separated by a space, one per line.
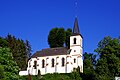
x=10 y=68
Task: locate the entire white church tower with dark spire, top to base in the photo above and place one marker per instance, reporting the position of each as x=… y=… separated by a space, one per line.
x=76 y=46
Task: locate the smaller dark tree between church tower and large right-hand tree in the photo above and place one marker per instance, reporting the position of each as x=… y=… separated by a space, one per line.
x=89 y=64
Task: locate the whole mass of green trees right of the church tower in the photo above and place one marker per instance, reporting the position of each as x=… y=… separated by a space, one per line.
x=107 y=66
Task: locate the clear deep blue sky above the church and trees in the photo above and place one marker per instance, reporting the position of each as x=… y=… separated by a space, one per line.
x=33 y=19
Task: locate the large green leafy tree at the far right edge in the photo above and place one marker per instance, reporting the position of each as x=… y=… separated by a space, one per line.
x=108 y=65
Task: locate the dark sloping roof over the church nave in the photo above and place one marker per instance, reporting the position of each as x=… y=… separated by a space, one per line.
x=51 y=52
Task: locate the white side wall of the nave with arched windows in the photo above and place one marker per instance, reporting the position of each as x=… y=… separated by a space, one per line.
x=48 y=65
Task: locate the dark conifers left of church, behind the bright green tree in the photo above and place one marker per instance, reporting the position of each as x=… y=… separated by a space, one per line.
x=20 y=49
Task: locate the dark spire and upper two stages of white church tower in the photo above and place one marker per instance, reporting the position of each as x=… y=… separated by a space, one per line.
x=76 y=40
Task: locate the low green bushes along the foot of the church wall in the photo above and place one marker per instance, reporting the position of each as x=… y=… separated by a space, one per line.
x=75 y=75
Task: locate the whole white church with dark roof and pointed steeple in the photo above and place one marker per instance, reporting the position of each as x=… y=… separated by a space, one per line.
x=58 y=60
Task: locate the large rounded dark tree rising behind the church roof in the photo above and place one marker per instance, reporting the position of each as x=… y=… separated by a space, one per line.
x=56 y=37
